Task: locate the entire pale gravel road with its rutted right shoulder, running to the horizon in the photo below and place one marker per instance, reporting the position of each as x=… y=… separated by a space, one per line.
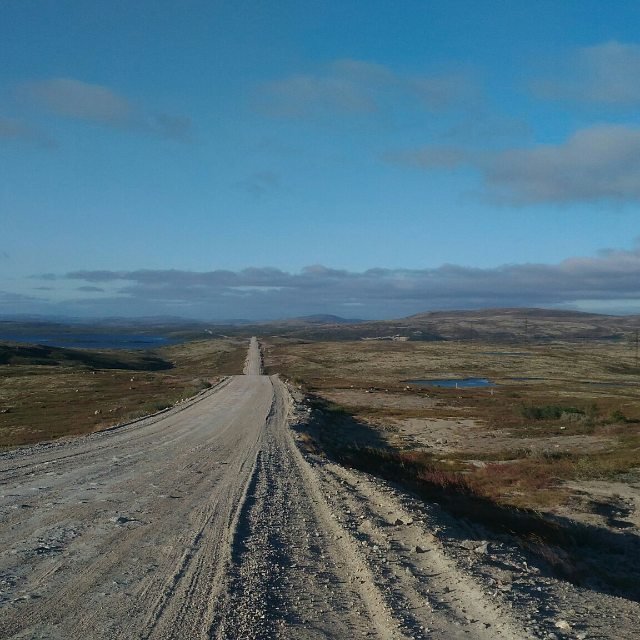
x=208 y=522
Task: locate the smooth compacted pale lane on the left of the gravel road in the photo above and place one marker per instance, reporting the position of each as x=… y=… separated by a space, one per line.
x=125 y=534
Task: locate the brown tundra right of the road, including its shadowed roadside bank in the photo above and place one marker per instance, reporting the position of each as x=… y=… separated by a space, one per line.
x=502 y=457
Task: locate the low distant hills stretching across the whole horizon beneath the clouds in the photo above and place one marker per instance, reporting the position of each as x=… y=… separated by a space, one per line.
x=503 y=324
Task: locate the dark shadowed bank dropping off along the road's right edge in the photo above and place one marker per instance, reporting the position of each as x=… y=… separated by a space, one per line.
x=568 y=549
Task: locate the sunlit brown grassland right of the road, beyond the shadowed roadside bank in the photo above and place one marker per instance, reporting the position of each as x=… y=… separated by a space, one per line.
x=577 y=417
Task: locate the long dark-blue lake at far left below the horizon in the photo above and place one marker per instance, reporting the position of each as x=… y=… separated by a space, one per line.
x=91 y=340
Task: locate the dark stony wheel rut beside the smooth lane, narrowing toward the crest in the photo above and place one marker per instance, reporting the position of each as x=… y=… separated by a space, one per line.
x=290 y=575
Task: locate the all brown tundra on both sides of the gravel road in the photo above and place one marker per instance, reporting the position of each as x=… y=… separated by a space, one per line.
x=551 y=453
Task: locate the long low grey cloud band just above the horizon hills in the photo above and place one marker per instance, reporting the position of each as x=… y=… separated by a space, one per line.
x=267 y=292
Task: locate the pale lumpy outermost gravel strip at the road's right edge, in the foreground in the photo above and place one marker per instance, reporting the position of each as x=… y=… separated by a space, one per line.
x=428 y=591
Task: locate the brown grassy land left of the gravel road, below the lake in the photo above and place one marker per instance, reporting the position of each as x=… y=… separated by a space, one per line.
x=47 y=393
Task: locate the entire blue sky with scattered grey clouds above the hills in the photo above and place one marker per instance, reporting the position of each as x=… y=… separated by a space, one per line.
x=270 y=159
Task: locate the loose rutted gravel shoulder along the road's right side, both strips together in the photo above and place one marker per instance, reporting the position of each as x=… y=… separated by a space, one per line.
x=318 y=554
